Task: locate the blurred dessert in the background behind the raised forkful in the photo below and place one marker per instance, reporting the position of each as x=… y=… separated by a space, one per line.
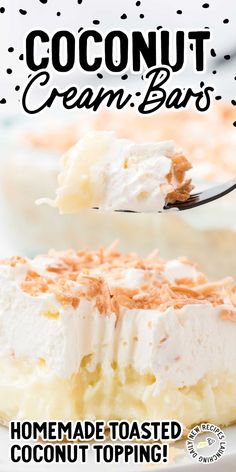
x=207 y=234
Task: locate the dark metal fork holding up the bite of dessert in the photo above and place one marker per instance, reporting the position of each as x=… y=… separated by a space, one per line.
x=197 y=199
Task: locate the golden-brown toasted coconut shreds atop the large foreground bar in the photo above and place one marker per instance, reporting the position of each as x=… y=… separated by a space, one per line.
x=100 y=275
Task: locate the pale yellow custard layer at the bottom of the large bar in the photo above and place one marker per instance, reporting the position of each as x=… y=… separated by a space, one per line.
x=30 y=392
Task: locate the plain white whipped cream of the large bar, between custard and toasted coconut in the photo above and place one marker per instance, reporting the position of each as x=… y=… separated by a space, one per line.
x=178 y=346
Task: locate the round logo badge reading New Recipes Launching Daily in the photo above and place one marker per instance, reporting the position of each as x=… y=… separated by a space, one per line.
x=206 y=443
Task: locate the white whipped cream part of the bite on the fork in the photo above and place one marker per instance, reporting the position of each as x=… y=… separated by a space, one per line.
x=138 y=186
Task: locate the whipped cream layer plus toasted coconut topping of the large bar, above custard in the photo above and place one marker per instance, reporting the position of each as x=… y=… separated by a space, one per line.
x=106 y=315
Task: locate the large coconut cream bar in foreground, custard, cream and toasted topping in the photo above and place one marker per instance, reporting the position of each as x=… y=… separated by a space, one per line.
x=102 y=335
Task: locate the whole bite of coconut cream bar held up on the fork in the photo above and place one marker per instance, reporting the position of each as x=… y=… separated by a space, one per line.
x=116 y=174
